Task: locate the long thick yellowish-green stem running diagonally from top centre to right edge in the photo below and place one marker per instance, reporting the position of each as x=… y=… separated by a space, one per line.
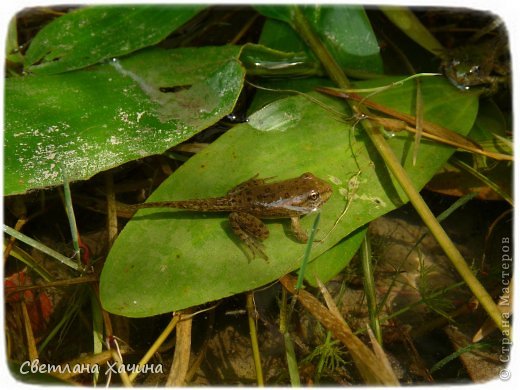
x=303 y=28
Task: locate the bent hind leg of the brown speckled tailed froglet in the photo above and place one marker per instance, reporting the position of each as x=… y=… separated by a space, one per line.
x=251 y=230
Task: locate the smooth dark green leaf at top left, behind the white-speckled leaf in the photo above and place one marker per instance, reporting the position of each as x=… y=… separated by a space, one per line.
x=92 y=34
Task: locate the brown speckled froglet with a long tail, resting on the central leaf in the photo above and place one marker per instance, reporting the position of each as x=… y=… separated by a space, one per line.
x=256 y=199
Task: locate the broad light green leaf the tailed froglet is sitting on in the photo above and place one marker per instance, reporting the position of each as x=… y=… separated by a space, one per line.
x=168 y=260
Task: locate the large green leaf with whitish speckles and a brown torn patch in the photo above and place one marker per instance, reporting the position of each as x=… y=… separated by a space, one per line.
x=83 y=122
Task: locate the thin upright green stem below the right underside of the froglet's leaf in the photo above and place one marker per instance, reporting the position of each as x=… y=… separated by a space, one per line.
x=370 y=289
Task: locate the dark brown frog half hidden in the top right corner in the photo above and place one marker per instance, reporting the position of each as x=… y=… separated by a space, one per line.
x=477 y=66
